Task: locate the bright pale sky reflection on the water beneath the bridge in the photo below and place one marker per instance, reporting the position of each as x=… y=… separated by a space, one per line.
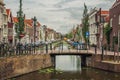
x=68 y=63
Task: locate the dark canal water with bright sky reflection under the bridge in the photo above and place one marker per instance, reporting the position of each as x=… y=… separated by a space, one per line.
x=71 y=69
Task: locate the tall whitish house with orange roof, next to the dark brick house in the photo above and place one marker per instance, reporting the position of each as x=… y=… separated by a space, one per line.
x=98 y=18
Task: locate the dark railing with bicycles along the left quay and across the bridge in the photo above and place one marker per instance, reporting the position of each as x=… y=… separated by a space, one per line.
x=7 y=50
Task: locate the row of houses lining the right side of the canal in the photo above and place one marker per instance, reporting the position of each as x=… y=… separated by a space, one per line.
x=99 y=19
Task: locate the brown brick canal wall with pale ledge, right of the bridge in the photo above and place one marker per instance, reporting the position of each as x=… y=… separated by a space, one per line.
x=107 y=63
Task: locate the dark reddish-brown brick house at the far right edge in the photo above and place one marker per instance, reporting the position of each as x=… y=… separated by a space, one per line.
x=115 y=24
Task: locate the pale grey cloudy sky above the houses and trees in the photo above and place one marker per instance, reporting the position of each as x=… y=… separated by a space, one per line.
x=61 y=15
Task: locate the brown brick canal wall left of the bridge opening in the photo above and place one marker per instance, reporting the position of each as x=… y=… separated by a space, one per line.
x=18 y=65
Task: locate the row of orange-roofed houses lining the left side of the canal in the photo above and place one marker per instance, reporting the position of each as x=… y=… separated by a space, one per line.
x=8 y=26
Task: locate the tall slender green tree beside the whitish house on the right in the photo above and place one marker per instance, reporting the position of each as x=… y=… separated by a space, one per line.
x=85 y=22
